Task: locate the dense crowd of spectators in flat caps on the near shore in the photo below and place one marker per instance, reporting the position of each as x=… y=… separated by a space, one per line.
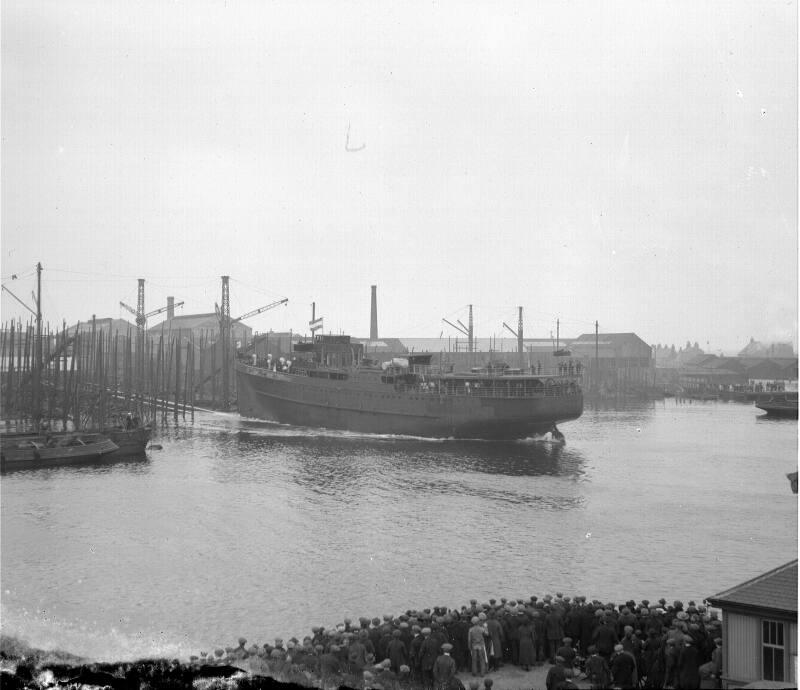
x=630 y=645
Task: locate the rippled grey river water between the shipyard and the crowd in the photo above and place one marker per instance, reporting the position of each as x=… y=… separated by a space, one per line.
x=240 y=527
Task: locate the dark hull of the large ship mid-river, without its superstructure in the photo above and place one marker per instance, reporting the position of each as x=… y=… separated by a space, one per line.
x=375 y=409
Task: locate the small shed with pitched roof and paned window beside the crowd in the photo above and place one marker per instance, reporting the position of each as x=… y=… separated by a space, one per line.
x=759 y=628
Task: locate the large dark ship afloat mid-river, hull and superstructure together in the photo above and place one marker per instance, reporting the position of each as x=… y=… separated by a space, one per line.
x=329 y=383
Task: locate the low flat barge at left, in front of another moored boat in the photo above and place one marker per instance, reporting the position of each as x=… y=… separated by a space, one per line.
x=53 y=449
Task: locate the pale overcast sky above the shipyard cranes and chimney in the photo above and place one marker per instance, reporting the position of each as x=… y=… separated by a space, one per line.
x=626 y=162
